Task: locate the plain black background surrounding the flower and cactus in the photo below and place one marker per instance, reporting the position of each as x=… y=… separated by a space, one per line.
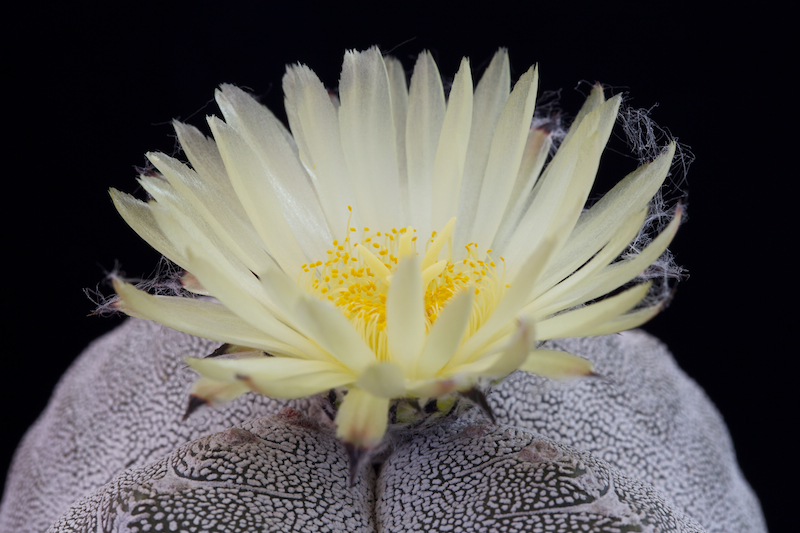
x=90 y=88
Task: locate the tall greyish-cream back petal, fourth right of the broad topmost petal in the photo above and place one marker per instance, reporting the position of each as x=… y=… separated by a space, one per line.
x=488 y=102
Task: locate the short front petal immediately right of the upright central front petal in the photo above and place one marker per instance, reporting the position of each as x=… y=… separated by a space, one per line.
x=445 y=334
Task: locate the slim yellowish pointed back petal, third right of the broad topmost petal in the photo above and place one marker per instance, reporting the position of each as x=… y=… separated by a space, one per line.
x=448 y=168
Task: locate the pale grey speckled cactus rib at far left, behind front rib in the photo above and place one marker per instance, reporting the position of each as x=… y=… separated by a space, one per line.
x=119 y=406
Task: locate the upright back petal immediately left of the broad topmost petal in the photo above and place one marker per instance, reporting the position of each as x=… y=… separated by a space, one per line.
x=315 y=124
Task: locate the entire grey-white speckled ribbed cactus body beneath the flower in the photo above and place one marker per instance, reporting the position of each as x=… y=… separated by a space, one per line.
x=115 y=419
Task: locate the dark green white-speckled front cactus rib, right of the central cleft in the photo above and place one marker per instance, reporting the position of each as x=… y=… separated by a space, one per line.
x=461 y=477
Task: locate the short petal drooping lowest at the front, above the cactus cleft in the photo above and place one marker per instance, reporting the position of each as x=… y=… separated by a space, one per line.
x=362 y=419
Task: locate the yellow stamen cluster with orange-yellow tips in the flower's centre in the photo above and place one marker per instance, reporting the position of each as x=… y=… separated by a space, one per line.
x=356 y=275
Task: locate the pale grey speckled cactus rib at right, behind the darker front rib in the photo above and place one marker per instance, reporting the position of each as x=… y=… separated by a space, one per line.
x=652 y=423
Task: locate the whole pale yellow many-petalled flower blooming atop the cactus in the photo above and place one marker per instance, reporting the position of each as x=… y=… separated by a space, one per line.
x=399 y=244
